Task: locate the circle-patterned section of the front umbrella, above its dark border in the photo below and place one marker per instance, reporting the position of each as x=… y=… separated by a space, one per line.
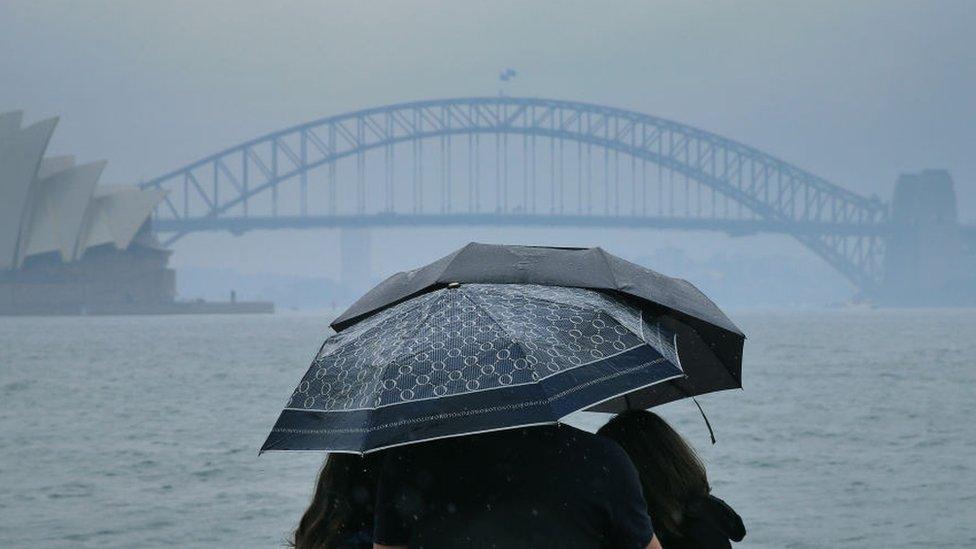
x=475 y=337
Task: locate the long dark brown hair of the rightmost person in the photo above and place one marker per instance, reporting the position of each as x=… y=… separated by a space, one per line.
x=671 y=473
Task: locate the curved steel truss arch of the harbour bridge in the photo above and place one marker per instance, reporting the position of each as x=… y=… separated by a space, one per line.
x=844 y=228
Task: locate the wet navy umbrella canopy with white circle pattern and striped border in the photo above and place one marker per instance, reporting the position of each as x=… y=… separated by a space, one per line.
x=468 y=359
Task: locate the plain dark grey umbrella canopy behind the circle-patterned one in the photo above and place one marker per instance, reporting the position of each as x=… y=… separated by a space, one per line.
x=711 y=345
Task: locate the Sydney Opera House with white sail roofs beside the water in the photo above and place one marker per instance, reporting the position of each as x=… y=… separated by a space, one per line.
x=68 y=246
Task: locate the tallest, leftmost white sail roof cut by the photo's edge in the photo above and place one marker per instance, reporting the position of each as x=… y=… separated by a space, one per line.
x=20 y=156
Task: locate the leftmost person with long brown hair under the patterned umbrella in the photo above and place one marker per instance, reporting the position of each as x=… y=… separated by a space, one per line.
x=341 y=513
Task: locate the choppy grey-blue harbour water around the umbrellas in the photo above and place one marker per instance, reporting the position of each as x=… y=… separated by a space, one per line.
x=856 y=429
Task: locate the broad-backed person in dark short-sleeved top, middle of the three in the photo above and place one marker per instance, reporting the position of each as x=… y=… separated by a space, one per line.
x=534 y=487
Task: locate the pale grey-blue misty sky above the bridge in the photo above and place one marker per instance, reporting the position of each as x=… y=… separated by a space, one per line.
x=854 y=91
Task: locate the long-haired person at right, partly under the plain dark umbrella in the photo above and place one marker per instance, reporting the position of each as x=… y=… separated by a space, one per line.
x=675 y=485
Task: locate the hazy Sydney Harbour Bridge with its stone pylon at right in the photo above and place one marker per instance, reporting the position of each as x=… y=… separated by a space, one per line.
x=540 y=162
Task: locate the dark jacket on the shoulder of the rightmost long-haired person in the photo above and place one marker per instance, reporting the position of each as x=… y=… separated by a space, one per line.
x=707 y=523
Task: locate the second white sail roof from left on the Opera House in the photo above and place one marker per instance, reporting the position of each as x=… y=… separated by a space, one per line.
x=58 y=210
